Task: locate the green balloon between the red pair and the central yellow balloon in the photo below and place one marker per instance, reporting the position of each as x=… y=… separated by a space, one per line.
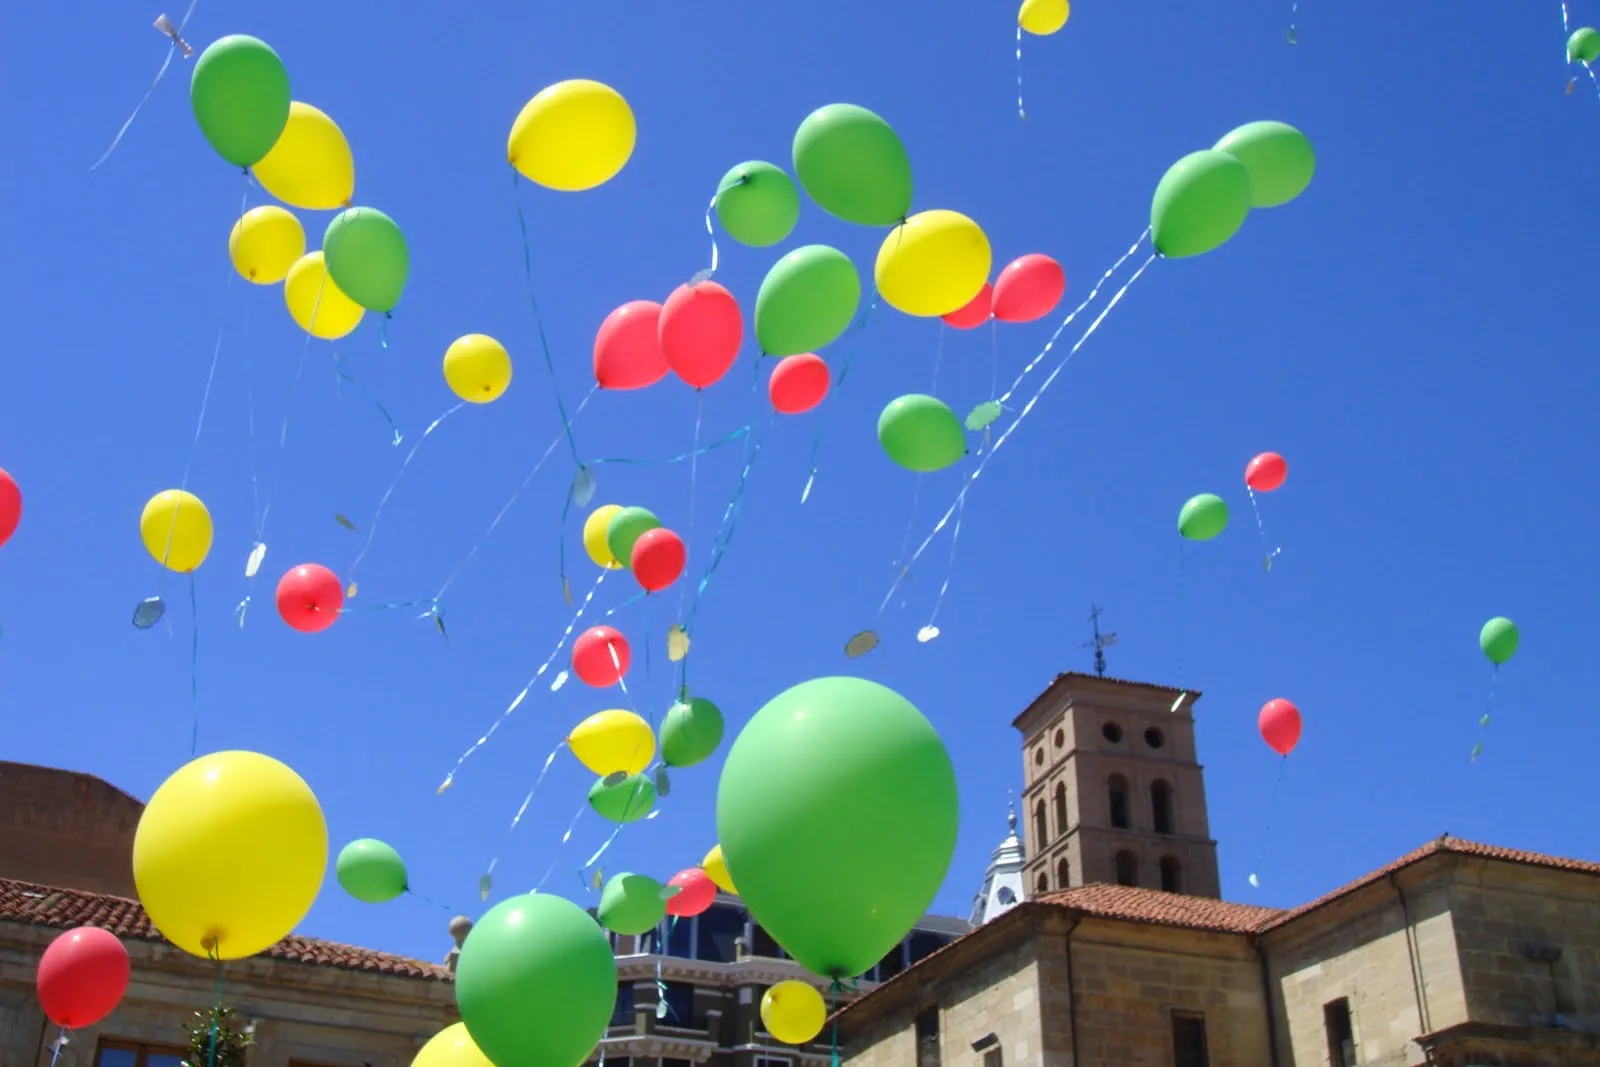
x=807 y=302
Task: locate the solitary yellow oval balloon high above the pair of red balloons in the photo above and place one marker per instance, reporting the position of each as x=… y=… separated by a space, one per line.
x=572 y=137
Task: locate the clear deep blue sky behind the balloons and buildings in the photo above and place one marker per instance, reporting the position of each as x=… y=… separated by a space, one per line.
x=1412 y=335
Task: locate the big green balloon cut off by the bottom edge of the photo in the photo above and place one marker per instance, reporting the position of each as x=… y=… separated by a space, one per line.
x=537 y=983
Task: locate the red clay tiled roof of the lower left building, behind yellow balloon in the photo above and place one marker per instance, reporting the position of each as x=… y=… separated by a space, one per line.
x=62 y=909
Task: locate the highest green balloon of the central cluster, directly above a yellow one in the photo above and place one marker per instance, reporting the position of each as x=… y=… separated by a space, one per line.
x=854 y=166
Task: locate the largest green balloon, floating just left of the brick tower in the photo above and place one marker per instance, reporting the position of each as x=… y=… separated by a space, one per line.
x=838 y=817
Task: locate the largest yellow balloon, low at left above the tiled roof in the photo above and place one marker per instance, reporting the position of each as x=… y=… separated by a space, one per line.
x=230 y=855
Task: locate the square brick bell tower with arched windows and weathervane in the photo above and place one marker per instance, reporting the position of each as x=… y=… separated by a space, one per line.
x=1113 y=789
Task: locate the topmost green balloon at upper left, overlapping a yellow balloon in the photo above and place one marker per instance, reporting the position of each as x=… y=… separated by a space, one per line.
x=241 y=94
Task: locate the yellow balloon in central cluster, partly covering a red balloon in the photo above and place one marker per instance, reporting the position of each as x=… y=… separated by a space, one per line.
x=934 y=263
